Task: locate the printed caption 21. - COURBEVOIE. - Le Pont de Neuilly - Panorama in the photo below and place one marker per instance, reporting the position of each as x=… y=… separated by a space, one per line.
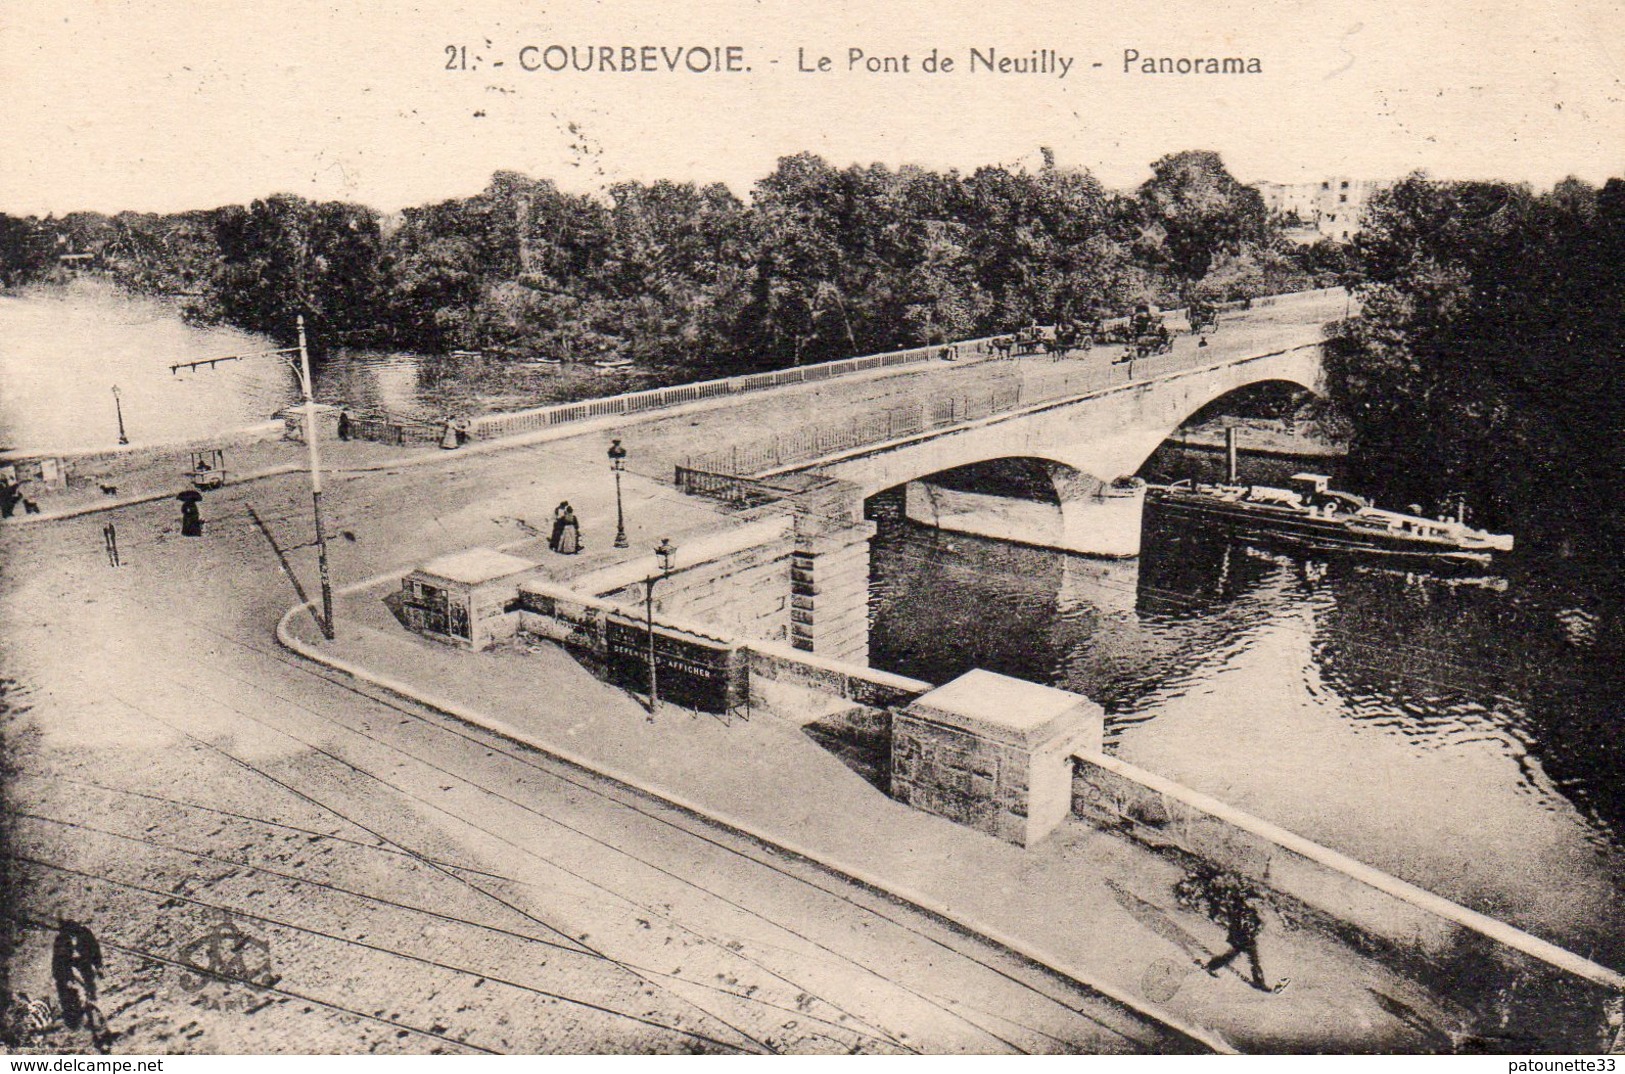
x=724 y=59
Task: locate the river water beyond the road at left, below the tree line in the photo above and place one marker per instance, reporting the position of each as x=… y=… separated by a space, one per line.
x=63 y=352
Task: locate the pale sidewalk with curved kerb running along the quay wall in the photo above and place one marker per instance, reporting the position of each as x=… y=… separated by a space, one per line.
x=1088 y=904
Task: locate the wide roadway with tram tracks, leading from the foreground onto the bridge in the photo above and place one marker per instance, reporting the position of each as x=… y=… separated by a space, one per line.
x=423 y=886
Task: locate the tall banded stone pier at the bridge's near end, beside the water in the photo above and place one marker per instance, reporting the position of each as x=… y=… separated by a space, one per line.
x=830 y=574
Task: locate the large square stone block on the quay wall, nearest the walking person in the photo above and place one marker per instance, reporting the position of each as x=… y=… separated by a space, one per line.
x=994 y=753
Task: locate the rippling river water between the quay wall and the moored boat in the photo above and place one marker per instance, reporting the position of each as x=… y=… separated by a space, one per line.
x=1457 y=732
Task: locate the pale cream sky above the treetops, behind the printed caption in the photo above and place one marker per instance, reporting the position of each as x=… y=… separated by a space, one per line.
x=163 y=106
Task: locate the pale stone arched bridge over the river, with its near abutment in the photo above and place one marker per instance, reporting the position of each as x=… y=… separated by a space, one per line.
x=1088 y=420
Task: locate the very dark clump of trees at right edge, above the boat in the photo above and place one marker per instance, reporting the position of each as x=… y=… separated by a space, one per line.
x=1489 y=353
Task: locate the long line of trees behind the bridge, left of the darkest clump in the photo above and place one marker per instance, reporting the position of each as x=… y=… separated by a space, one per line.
x=818 y=264
